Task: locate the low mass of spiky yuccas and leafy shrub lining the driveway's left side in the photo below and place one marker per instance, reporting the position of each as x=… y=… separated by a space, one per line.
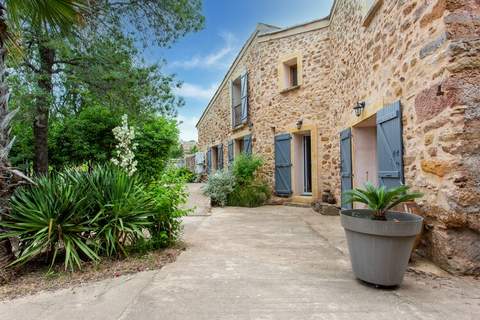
x=85 y=215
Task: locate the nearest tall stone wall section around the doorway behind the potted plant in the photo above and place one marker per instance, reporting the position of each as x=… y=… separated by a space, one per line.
x=425 y=54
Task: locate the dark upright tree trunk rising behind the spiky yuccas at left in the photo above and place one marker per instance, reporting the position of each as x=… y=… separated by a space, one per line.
x=40 y=125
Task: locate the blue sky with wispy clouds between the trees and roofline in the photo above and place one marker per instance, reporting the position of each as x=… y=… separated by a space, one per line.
x=200 y=60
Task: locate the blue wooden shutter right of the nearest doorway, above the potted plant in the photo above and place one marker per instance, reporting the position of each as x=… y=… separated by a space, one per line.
x=390 y=146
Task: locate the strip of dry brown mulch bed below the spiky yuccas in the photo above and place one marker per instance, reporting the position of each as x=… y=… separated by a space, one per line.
x=35 y=277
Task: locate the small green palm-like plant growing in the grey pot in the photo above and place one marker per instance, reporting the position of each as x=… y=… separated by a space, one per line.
x=380 y=199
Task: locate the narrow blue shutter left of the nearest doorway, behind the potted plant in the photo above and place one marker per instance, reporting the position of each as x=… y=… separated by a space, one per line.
x=346 y=164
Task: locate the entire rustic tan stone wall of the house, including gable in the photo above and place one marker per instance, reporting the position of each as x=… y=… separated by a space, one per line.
x=424 y=53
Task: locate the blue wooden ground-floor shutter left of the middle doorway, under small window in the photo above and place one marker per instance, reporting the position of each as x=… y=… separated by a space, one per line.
x=283 y=165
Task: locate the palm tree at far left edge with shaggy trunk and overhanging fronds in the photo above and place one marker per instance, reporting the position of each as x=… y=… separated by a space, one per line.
x=58 y=16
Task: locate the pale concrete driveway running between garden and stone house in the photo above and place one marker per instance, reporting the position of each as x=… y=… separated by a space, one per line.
x=273 y=262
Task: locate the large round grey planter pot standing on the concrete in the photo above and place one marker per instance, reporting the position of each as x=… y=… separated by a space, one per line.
x=380 y=250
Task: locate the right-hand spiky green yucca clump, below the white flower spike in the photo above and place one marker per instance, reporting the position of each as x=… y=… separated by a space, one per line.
x=124 y=210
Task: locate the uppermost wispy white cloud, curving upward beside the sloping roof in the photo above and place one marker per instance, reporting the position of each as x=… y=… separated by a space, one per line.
x=216 y=59
